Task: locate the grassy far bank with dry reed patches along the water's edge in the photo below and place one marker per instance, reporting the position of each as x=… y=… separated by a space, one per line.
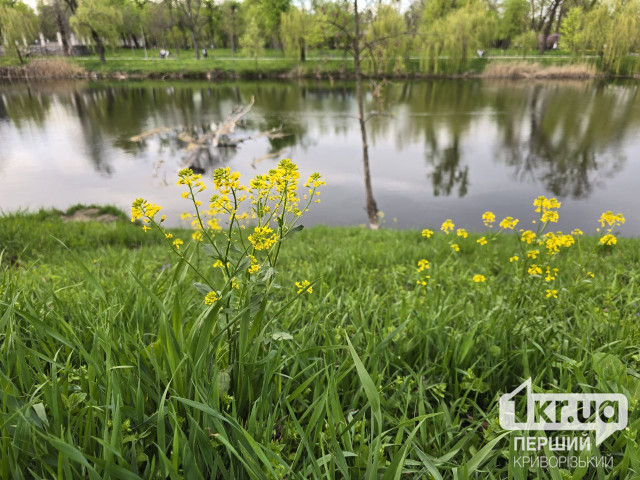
x=222 y=64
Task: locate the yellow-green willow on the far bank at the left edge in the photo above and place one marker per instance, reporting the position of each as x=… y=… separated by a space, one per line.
x=17 y=25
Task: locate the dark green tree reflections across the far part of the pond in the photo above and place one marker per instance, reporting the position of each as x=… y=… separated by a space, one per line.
x=567 y=137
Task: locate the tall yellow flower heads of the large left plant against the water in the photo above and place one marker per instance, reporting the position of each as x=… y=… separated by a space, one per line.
x=268 y=199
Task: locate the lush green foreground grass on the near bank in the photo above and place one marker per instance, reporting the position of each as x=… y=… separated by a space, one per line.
x=371 y=376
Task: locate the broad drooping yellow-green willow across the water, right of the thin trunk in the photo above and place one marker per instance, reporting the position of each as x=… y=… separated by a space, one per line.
x=456 y=36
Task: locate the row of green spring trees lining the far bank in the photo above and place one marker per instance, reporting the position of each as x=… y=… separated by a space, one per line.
x=388 y=36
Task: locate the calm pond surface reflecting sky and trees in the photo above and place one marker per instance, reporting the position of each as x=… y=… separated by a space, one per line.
x=447 y=149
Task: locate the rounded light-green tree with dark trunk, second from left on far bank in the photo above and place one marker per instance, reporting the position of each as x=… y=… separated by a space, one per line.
x=100 y=19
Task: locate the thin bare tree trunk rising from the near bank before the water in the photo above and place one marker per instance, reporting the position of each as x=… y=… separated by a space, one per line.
x=372 y=208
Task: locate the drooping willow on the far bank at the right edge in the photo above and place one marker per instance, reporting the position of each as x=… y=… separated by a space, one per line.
x=613 y=30
